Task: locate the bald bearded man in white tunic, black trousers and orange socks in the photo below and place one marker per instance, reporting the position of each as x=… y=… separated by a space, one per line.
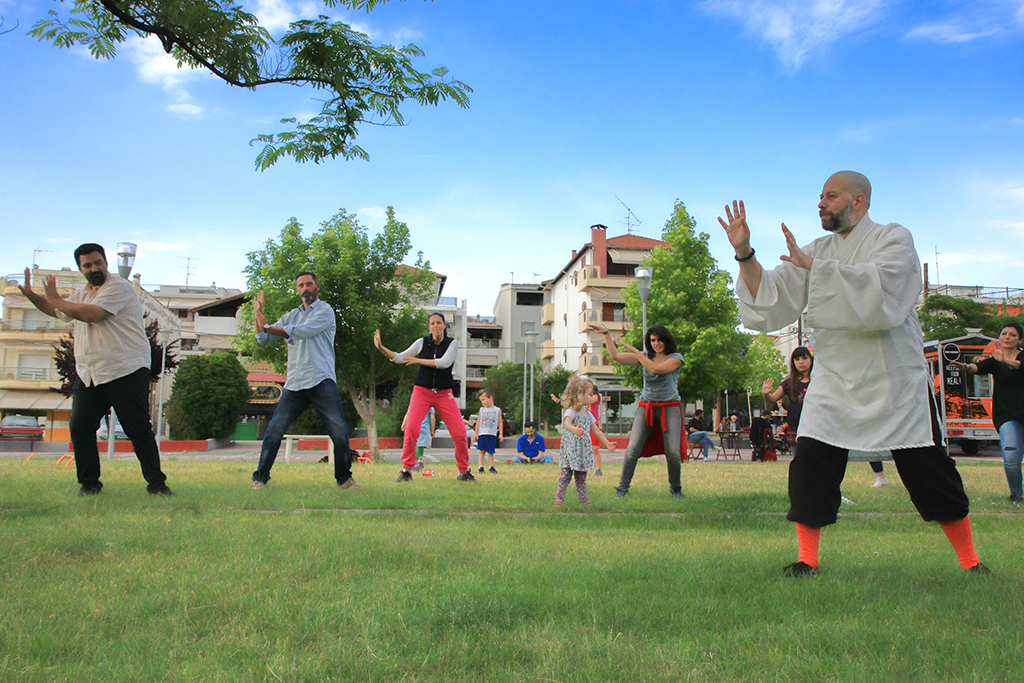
x=872 y=389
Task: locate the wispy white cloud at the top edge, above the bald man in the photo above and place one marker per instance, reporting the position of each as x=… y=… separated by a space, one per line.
x=798 y=30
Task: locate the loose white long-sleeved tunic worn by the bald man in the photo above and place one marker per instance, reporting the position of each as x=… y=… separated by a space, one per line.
x=870 y=388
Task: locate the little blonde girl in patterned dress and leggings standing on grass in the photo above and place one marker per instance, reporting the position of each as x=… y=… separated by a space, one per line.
x=577 y=453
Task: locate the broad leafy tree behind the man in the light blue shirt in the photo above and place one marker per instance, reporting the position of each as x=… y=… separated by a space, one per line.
x=365 y=283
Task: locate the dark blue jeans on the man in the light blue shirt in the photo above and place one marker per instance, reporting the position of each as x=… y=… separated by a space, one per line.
x=327 y=403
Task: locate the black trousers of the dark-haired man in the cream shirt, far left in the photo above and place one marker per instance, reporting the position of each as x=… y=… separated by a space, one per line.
x=130 y=396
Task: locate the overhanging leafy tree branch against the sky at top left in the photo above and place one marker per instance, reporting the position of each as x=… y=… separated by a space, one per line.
x=364 y=83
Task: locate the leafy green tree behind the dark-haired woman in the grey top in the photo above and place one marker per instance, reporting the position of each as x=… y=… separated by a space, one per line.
x=694 y=298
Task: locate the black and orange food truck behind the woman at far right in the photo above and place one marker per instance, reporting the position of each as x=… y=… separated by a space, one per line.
x=965 y=401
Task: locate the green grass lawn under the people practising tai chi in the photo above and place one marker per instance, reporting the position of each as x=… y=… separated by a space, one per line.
x=443 y=581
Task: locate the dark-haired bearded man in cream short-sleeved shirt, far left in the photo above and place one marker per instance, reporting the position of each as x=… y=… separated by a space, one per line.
x=112 y=359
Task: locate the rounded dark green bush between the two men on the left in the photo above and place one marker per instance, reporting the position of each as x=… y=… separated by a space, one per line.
x=208 y=398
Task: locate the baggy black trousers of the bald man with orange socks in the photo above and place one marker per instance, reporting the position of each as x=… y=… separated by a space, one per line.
x=929 y=475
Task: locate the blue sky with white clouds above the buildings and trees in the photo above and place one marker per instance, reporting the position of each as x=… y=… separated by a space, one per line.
x=582 y=113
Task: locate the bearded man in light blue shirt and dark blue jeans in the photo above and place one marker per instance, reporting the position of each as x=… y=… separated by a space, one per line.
x=310 y=333
